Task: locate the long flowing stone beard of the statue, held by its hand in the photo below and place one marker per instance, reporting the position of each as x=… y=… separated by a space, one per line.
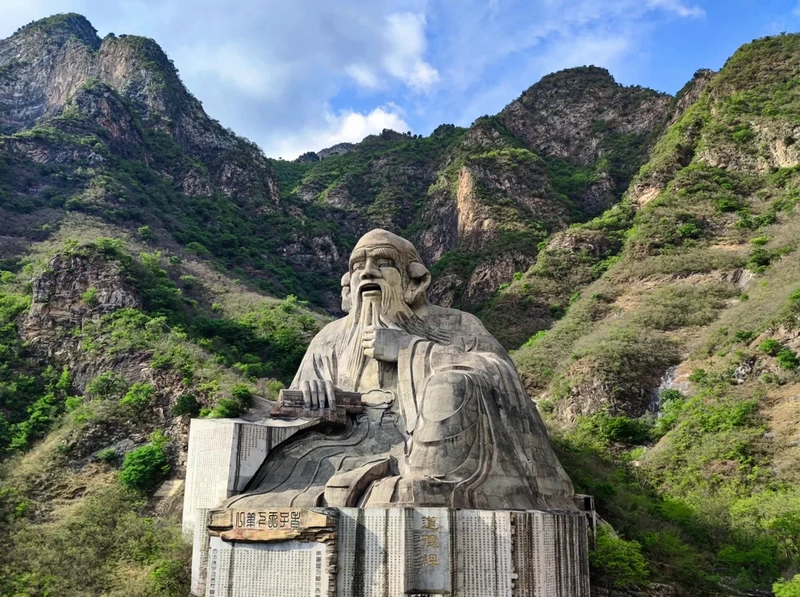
x=383 y=308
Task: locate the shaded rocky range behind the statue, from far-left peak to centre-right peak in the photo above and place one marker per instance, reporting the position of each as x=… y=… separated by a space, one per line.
x=115 y=112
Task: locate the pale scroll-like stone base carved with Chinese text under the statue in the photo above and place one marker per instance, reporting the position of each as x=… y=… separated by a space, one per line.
x=380 y=552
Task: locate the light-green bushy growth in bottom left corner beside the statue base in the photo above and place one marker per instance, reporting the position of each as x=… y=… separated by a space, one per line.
x=107 y=543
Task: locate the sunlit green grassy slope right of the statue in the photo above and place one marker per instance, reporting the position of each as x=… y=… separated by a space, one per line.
x=708 y=273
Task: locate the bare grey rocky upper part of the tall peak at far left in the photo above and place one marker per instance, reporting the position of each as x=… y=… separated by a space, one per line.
x=44 y=65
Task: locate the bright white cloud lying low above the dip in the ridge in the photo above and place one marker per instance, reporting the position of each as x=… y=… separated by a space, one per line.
x=345 y=126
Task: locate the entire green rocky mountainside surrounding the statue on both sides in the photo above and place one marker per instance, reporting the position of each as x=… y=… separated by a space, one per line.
x=636 y=250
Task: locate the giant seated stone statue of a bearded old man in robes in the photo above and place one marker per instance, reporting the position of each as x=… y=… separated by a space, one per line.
x=445 y=421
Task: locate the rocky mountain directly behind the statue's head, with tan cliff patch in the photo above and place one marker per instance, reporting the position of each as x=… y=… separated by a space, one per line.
x=477 y=202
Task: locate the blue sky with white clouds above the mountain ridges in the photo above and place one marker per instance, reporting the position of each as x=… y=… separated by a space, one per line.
x=303 y=75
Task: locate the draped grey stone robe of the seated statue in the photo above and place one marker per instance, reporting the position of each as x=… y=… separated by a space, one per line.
x=449 y=425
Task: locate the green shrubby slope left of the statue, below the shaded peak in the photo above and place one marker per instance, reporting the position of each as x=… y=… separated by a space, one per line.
x=202 y=343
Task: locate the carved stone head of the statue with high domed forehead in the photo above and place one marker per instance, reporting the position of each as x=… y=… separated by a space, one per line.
x=383 y=261
